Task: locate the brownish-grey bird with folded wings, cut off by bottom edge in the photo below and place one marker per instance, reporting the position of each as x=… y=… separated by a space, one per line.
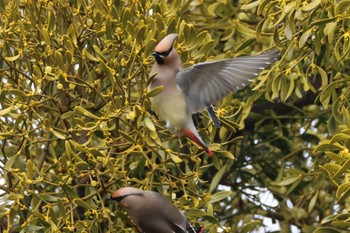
x=152 y=212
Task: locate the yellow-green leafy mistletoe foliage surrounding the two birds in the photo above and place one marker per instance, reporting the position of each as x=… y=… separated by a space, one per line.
x=75 y=126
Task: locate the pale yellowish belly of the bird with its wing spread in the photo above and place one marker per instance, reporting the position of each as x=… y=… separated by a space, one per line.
x=171 y=106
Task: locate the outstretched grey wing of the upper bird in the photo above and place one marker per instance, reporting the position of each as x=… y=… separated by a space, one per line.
x=208 y=82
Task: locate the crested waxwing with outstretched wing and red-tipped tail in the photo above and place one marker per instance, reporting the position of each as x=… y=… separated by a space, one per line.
x=190 y=90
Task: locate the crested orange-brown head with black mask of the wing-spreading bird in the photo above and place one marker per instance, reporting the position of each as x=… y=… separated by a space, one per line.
x=164 y=50
